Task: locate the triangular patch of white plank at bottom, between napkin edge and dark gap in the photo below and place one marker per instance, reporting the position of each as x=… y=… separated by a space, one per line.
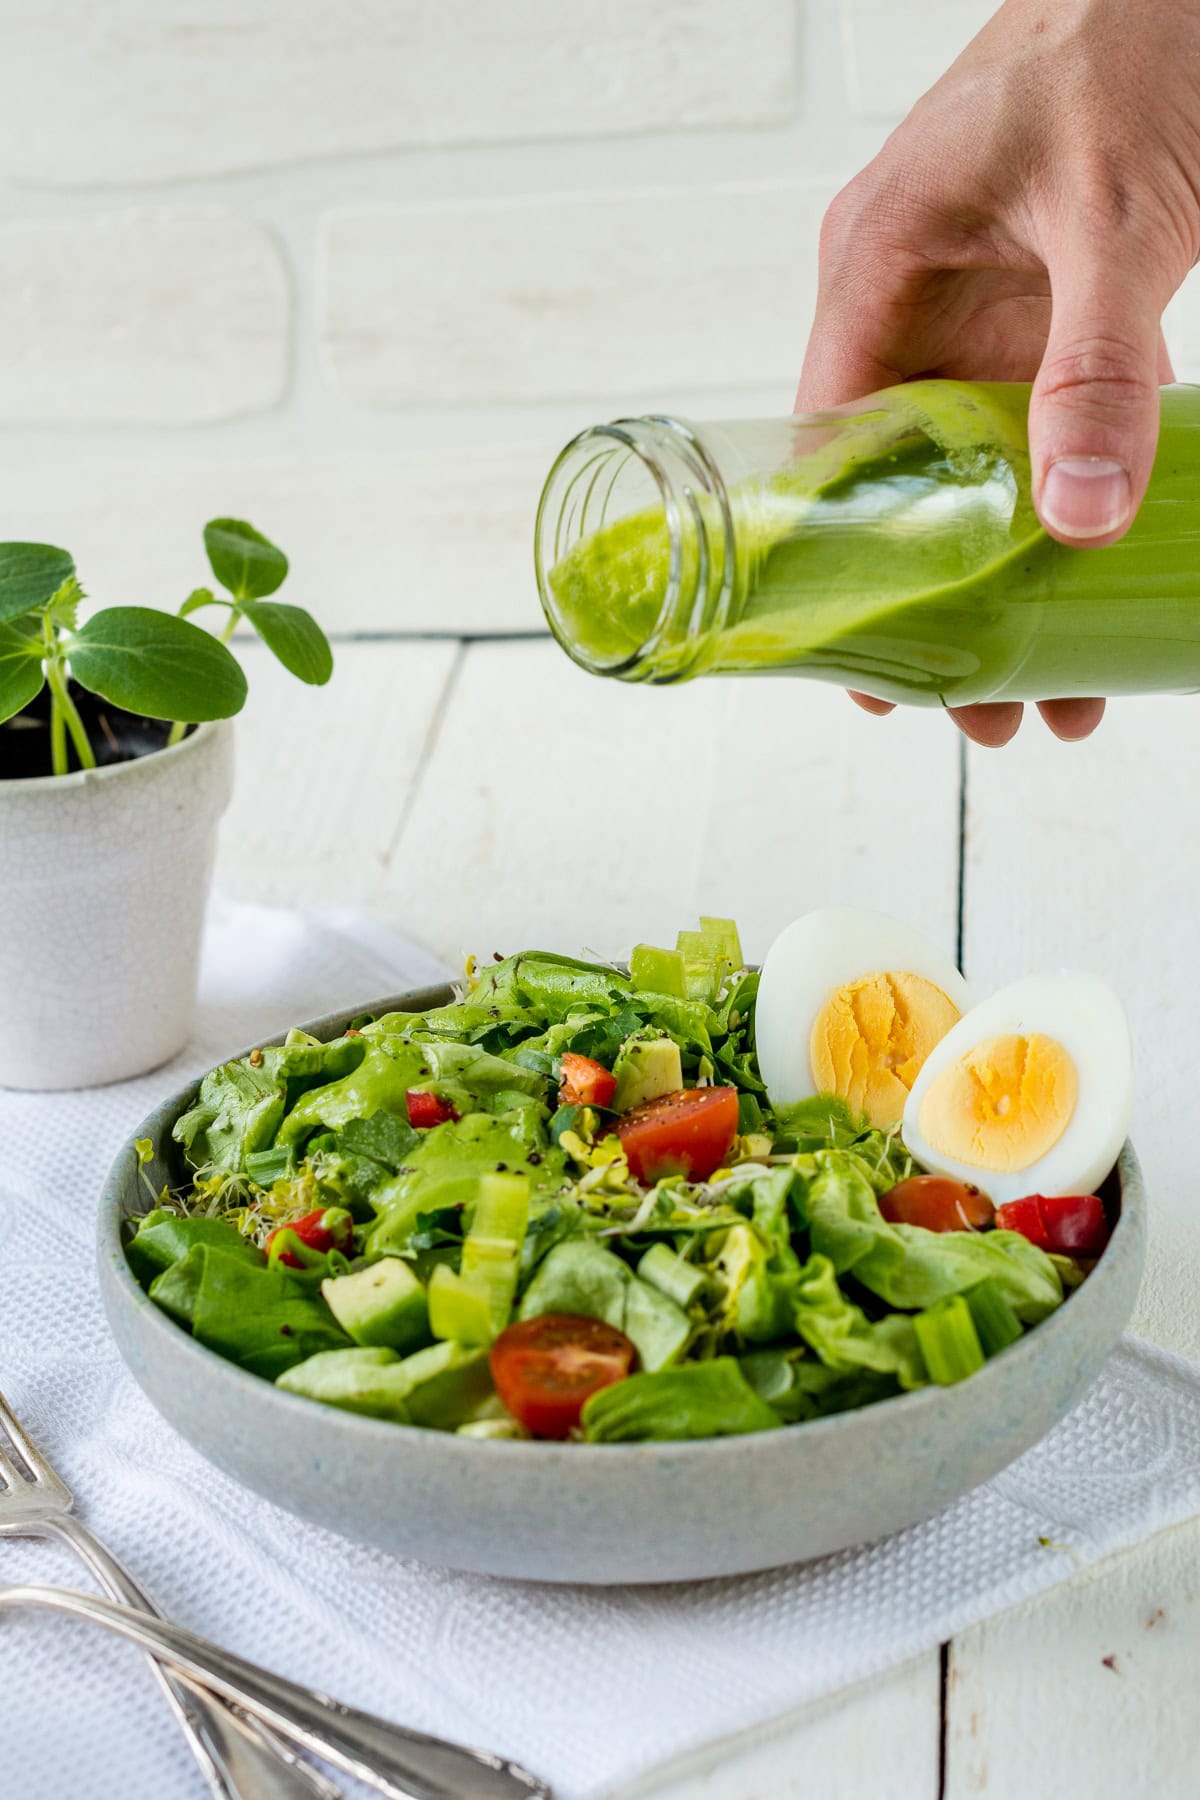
x=879 y=1741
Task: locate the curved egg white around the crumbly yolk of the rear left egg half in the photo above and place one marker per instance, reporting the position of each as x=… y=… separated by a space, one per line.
x=814 y=958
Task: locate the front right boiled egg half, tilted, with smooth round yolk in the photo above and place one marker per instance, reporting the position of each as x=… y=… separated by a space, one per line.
x=1030 y=1093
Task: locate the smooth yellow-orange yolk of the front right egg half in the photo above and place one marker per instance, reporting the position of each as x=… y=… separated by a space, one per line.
x=1003 y=1104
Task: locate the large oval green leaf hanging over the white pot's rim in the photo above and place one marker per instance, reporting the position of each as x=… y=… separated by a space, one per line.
x=157 y=665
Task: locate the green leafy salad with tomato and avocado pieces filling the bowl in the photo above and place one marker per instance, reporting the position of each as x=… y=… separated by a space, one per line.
x=562 y=1207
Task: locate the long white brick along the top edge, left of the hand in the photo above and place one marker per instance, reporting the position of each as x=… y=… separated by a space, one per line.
x=159 y=91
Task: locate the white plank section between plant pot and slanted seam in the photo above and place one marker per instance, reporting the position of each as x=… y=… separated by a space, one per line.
x=325 y=775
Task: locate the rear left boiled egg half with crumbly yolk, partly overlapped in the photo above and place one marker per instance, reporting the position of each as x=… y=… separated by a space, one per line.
x=854 y=1003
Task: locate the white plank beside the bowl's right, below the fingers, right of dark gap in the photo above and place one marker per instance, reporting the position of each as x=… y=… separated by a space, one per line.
x=1082 y=856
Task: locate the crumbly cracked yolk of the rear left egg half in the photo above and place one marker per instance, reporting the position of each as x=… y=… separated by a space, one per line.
x=872 y=1039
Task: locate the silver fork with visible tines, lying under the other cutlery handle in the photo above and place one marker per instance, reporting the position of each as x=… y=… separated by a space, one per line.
x=238 y=1758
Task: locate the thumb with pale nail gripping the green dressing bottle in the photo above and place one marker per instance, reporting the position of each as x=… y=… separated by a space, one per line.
x=1095 y=409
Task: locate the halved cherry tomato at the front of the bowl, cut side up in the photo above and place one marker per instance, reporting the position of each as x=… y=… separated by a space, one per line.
x=546 y=1369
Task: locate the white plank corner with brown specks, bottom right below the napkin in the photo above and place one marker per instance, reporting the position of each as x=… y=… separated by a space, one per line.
x=1089 y=1689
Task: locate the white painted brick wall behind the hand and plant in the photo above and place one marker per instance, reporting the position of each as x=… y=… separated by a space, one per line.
x=359 y=271
